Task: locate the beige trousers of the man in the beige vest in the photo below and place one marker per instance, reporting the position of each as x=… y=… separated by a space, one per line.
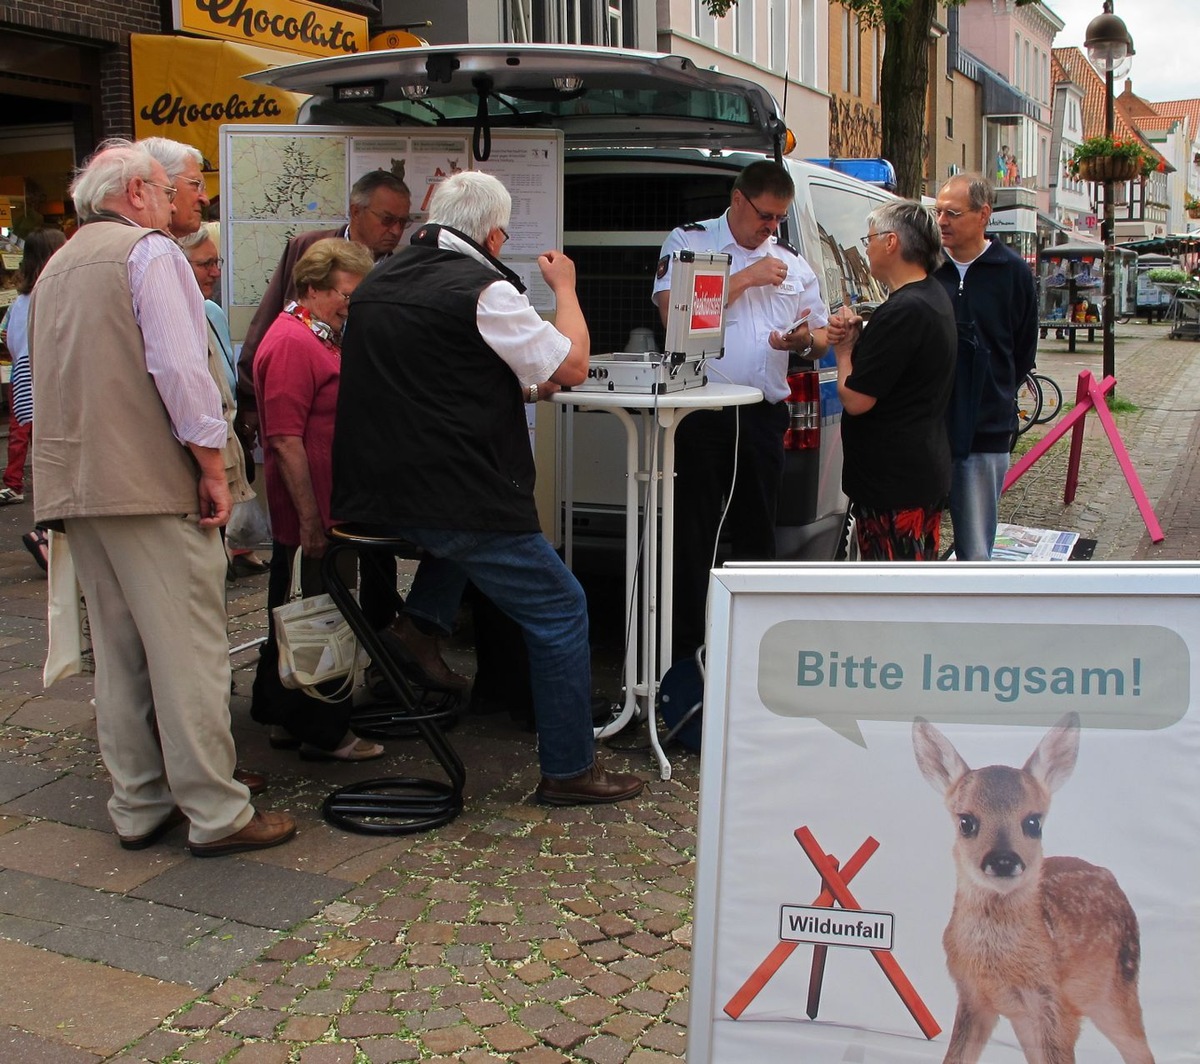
x=155 y=593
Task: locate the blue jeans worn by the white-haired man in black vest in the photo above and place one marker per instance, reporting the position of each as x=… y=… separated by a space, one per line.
x=524 y=576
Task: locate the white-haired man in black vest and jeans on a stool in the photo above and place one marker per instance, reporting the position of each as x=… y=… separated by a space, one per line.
x=442 y=351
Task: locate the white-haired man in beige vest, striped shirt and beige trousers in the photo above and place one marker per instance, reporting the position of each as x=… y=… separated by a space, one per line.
x=128 y=459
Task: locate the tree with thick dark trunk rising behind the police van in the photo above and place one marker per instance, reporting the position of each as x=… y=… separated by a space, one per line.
x=904 y=77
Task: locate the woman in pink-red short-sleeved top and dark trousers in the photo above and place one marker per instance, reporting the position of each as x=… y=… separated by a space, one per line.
x=297 y=371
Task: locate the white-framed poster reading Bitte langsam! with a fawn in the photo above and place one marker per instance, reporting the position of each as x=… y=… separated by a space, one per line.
x=949 y=814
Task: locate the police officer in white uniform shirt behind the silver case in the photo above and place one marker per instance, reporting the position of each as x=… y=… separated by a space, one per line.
x=770 y=288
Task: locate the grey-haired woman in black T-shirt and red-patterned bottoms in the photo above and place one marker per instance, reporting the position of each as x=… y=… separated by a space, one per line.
x=895 y=380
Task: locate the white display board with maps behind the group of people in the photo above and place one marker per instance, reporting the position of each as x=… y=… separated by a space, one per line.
x=281 y=181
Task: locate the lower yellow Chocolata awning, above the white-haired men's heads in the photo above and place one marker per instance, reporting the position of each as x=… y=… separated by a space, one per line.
x=187 y=89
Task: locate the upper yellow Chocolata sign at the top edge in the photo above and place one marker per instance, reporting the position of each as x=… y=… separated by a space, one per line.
x=292 y=26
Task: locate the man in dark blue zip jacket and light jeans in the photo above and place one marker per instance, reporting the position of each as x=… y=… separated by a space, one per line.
x=995 y=304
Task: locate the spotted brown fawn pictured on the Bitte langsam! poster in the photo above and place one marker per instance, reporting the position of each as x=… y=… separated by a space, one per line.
x=1045 y=942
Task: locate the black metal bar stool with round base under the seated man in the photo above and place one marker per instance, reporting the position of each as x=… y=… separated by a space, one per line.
x=391 y=805
